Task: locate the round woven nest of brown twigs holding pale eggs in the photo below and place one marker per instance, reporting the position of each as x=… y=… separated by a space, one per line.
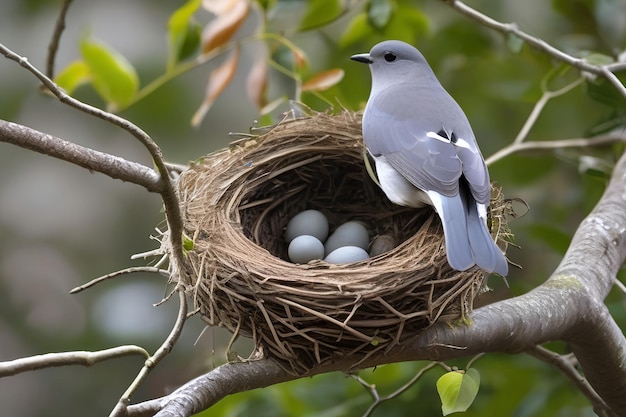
x=236 y=204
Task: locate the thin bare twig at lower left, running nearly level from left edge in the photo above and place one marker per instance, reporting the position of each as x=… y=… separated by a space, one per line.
x=84 y=358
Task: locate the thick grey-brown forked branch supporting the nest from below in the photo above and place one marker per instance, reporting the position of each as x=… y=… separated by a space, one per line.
x=568 y=306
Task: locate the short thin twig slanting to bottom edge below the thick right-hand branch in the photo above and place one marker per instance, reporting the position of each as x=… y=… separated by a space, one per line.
x=568 y=369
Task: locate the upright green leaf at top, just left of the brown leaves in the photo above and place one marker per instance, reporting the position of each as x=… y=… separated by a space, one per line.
x=183 y=33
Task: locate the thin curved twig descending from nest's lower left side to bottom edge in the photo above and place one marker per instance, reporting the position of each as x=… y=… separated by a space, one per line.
x=152 y=361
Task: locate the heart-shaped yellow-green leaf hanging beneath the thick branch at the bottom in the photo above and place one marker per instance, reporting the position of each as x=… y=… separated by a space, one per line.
x=457 y=390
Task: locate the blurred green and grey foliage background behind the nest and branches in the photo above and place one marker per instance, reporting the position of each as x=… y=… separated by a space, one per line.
x=60 y=226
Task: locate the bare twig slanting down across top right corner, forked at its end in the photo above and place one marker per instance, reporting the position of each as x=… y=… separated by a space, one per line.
x=541 y=45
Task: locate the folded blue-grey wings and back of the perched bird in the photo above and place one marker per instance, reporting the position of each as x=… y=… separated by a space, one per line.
x=426 y=137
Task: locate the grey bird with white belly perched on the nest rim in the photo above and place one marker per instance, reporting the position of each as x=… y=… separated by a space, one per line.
x=425 y=152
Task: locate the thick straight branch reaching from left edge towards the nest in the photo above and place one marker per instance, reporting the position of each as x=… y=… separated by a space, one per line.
x=111 y=165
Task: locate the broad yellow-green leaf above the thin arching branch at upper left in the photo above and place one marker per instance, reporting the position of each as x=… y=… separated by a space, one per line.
x=113 y=77
